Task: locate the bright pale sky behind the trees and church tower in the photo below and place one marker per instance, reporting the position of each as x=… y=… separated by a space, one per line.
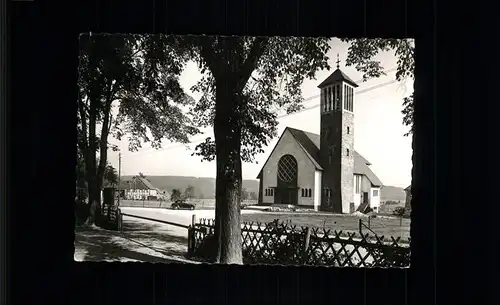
x=379 y=131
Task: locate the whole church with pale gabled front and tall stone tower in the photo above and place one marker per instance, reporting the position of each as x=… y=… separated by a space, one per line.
x=322 y=171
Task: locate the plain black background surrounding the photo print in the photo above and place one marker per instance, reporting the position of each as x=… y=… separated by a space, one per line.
x=453 y=230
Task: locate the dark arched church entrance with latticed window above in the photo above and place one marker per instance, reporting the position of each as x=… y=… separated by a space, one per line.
x=287 y=190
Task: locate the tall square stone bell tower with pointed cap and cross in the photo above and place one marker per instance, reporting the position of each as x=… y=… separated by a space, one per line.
x=337 y=142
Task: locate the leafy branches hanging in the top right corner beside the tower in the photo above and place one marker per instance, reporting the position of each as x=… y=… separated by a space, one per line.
x=362 y=52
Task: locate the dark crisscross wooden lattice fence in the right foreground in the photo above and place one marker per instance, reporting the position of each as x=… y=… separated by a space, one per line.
x=285 y=244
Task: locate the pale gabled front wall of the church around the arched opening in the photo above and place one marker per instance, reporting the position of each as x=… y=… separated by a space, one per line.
x=306 y=169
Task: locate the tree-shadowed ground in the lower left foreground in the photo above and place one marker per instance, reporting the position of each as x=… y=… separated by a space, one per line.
x=160 y=244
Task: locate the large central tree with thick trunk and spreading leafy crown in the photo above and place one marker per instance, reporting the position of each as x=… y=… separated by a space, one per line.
x=245 y=82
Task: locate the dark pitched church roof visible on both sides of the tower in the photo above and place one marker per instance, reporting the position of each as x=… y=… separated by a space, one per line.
x=310 y=142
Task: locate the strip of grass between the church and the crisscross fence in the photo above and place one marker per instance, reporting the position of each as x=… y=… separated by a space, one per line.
x=381 y=226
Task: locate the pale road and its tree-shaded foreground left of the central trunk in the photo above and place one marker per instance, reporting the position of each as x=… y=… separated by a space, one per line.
x=140 y=240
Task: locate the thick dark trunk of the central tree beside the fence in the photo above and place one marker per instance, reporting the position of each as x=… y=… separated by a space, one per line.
x=228 y=180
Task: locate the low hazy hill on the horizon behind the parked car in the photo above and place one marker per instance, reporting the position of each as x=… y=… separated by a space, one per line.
x=202 y=185
